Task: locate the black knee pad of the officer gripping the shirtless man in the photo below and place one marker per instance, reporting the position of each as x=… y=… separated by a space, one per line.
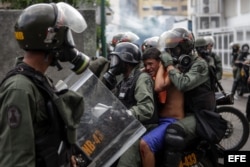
x=175 y=138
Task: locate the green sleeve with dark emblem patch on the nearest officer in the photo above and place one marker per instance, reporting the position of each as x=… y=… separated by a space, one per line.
x=16 y=129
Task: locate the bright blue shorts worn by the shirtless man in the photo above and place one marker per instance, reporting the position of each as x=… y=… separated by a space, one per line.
x=155 y=137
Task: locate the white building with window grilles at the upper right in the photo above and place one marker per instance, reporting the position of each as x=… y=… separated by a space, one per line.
x=227 y=21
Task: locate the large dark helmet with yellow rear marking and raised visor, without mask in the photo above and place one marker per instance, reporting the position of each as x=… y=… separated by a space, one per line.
x=44 y=26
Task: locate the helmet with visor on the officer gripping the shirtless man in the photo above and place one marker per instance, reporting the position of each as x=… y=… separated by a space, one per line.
x=177 y=37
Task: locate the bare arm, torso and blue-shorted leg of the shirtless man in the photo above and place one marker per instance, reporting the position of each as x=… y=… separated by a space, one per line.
x=171 y=111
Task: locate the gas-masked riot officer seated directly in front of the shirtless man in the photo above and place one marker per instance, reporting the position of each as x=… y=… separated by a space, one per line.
x=135 y=91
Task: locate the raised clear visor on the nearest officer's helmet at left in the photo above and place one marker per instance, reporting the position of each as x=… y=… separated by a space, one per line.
x=70 y=17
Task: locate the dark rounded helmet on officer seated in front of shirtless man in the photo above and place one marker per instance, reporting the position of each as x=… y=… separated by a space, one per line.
x=127 y=52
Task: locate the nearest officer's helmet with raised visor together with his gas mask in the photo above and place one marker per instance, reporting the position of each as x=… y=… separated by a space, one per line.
x=47 y=27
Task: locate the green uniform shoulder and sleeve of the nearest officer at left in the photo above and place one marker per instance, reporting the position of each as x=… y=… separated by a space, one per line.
x=21 y=105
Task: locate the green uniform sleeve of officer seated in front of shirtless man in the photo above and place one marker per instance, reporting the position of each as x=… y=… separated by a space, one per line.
x=144 y=108
